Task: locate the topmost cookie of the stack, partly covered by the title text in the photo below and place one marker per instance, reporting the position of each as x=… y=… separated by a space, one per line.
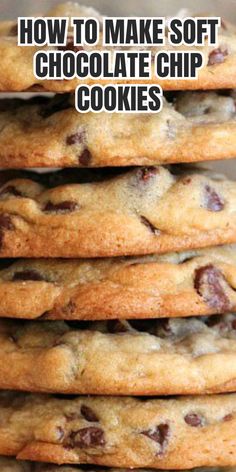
x=218 y=71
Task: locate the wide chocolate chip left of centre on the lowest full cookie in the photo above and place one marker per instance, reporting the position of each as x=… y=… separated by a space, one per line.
x=86 y=437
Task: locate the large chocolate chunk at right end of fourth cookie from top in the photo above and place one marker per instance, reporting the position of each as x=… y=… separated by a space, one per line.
x=209 y=283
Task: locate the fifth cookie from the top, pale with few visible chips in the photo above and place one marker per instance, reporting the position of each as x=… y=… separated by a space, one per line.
x=155 y=357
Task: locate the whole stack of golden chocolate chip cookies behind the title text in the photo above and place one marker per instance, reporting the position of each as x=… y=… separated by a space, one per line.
x=117 y=283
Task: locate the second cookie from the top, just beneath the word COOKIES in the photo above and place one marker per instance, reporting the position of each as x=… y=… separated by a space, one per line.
x=49 y=132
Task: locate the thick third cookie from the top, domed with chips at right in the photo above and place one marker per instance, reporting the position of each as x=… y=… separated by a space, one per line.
x=142 y=211
